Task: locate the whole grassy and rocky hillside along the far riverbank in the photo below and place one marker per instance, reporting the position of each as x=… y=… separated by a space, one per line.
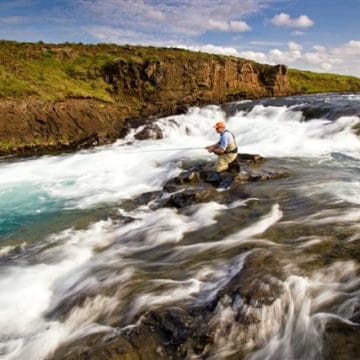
x=59 y=96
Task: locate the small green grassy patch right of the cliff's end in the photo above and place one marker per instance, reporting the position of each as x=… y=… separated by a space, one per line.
x=309 y=82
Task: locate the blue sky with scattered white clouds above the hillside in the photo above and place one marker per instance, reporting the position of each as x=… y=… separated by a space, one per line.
x=318 y=35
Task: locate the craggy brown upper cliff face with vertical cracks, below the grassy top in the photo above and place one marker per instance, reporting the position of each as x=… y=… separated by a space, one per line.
x=171 y=83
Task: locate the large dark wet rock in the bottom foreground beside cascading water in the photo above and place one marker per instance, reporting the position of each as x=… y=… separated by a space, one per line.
x=175 y=332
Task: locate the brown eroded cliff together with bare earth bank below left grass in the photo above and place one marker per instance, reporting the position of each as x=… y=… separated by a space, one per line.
x=158 y=86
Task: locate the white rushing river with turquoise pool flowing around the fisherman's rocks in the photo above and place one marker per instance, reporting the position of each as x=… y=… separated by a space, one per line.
x=73 y=266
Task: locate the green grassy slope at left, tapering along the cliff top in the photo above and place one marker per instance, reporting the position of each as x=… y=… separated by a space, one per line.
x=55 y=72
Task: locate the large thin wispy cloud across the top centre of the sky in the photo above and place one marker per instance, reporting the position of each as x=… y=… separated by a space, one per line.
x=171 y=20
